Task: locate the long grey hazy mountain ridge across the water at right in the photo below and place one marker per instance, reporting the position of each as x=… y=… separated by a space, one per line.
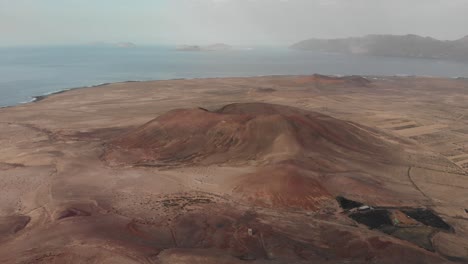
x=412 y=46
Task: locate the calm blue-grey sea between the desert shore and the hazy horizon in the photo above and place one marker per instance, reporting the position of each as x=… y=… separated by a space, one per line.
x=28 y=72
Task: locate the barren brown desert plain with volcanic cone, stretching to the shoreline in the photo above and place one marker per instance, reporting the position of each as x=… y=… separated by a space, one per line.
x=276 y=169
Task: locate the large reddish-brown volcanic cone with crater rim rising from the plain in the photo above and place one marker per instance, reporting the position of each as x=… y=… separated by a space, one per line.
x=240 y=133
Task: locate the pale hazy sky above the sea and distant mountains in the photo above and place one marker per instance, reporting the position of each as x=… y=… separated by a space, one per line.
x=230 y=21
